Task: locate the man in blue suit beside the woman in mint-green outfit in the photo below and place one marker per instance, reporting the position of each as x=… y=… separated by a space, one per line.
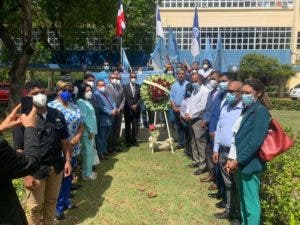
x=107 y=112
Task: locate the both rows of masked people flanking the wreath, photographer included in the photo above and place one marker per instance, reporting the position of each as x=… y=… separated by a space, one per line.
x=220 y=123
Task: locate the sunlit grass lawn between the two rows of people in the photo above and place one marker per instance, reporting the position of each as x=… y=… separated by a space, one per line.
x=120 y=193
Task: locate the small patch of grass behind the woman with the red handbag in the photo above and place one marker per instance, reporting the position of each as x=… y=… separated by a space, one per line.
x=288 y=118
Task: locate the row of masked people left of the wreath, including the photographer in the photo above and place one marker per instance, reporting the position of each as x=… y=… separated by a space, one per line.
x=83 y=119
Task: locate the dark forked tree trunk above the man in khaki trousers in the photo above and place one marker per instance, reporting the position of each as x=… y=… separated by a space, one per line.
x=19 y=61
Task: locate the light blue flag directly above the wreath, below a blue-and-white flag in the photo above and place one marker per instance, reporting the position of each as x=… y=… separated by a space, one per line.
x=159 y=54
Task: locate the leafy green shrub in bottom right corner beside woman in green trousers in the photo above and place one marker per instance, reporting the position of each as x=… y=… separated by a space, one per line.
x=280 y=197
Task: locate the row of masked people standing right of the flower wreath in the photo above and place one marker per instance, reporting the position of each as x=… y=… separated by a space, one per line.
x=221 y=124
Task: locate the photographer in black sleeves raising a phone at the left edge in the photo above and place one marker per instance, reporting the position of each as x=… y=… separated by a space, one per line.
x=15 y=164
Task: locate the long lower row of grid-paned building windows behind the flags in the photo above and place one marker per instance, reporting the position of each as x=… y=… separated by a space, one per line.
x=238 y=37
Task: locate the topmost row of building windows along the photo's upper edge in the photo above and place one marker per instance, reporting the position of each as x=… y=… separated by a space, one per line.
x=227 y=3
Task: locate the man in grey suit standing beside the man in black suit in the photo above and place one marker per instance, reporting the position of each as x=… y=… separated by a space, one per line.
x=116 y=92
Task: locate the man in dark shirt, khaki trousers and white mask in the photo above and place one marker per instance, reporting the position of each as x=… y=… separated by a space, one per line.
x=42 y=187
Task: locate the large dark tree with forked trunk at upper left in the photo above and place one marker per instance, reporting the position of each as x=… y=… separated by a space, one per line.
x=16 y=9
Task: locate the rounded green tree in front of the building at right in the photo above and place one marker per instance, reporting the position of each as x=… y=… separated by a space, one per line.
x=267 y=69
